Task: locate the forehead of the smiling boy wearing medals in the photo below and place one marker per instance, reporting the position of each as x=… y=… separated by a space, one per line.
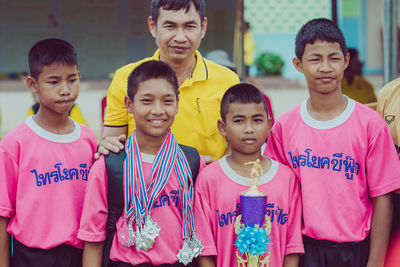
x=155 y=87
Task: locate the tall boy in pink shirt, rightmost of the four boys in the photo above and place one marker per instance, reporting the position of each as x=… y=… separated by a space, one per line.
x=342 y=154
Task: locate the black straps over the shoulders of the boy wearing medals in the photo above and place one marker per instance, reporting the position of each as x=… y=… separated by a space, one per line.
x=115 y=182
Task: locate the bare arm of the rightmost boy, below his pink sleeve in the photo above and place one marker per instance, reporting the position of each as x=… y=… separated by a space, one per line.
x=380 y=229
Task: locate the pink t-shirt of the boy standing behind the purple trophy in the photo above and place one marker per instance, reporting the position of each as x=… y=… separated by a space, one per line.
x=217 y=193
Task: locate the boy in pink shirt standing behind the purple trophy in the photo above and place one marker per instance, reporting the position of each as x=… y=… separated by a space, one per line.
x=246 y=125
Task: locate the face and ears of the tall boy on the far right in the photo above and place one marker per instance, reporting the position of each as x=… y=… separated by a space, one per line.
x=323 y=64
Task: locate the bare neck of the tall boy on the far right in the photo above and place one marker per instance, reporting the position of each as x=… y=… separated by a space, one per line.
x=326 y=107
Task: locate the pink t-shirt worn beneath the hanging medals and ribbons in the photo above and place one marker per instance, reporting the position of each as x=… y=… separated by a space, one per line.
x=166 y=212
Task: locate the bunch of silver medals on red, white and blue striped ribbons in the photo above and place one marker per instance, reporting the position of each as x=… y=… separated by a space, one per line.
x=139 y=200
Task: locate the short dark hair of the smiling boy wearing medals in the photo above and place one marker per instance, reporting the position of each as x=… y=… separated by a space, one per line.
x=152 y=69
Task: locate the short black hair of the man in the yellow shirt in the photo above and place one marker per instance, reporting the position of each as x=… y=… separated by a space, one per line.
x=176 y=5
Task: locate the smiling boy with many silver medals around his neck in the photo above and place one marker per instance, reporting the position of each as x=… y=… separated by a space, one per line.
x=157 y=226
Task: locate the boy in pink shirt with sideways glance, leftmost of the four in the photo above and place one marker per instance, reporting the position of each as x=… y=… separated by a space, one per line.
x=44 y=166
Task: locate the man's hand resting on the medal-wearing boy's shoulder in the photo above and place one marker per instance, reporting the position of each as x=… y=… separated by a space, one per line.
x=111 y=140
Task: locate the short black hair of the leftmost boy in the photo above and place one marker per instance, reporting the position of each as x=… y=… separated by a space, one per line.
x=50 y=51
